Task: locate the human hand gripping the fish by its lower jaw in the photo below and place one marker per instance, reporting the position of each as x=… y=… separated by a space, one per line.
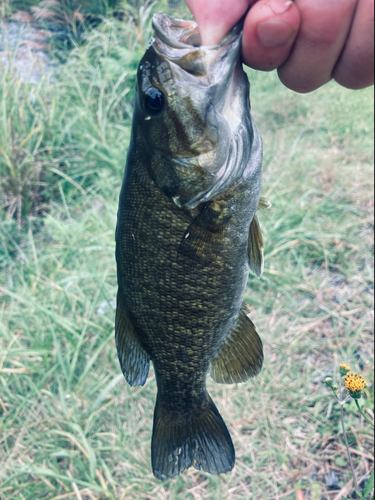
x=309 y=42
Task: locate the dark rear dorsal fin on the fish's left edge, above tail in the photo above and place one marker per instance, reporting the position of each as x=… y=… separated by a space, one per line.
x=134 y=360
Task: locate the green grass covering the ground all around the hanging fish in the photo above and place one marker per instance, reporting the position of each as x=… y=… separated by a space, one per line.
x=70 y=425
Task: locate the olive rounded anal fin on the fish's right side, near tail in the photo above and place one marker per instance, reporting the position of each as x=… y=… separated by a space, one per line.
x=240 y=356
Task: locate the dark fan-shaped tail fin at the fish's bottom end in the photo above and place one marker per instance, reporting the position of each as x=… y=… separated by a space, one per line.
x=180 y=441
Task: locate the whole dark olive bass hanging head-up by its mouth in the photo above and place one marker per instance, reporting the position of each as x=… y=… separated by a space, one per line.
x=187 y=235
